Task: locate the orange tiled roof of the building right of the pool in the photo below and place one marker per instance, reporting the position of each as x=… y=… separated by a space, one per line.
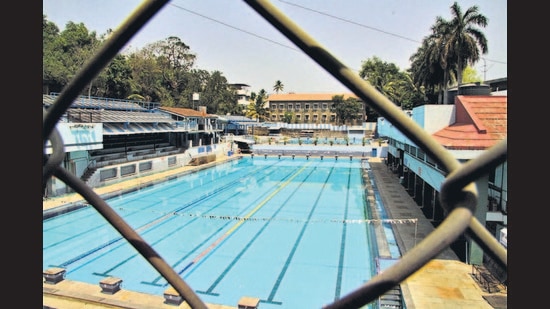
x=481 y=122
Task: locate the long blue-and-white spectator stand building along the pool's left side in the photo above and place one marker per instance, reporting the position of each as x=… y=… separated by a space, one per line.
x=106 y=140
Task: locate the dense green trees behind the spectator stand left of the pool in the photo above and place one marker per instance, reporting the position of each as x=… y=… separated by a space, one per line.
x=162 y=71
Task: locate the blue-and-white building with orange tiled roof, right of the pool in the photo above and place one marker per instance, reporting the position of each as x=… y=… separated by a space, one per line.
x=467 y=129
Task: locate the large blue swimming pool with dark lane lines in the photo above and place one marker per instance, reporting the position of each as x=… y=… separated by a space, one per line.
x=293 y=232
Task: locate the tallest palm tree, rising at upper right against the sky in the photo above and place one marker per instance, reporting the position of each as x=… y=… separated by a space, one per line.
x=462 y=39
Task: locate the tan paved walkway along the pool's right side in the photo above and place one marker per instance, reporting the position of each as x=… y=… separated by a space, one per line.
x=443 y=283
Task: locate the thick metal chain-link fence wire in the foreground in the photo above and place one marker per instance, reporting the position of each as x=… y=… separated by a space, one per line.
x=458 y=194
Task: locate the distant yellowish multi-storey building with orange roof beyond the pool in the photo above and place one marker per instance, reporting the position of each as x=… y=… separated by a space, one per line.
x=312 y=108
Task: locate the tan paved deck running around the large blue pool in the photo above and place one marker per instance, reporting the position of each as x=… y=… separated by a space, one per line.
x=444 y=282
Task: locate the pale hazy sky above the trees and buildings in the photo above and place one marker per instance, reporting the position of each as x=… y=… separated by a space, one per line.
x=230 y=37
